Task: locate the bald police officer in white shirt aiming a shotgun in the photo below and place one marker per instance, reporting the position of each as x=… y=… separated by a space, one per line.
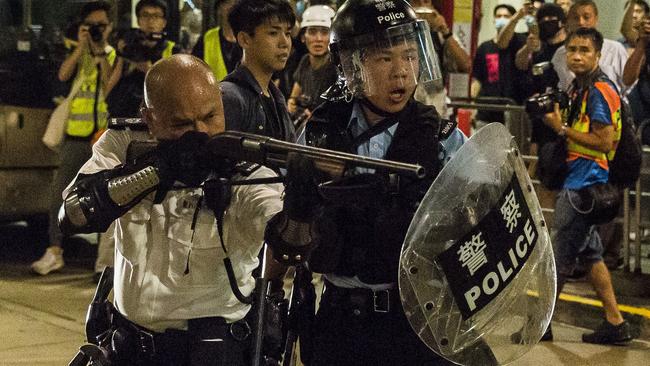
x=173 y=299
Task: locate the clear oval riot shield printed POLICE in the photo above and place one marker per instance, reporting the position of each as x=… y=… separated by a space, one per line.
x=477 y=276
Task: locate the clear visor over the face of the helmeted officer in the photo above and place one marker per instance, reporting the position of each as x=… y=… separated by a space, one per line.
x=394 y=62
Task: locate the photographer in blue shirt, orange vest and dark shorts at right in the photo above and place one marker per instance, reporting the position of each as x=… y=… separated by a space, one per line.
x=590 y=130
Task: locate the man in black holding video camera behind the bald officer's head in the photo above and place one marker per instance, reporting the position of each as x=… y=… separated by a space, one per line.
x=138 y=49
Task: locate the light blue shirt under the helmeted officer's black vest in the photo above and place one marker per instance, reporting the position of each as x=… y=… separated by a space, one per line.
x=377 y=147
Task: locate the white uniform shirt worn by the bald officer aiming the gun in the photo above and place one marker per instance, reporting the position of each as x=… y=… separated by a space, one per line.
x=167 y=273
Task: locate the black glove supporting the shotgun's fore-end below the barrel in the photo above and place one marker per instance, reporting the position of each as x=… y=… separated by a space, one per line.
x=302 y=200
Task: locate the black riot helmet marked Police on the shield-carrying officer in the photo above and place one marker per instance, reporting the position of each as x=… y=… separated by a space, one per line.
x=361 y=26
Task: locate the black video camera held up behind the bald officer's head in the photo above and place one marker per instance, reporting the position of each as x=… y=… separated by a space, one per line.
x=140 y=46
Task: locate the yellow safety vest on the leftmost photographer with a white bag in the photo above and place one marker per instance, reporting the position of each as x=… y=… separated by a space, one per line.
x=81 y=121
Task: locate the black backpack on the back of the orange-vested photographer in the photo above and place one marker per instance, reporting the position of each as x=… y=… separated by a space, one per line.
x=625 y=168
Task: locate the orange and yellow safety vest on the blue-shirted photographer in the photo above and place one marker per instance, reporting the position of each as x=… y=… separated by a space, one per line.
x=582 y=124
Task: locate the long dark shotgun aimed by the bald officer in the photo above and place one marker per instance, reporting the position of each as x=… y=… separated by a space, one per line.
x=274 y=152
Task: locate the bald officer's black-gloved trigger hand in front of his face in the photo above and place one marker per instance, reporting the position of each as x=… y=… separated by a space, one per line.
x=182 y=160
